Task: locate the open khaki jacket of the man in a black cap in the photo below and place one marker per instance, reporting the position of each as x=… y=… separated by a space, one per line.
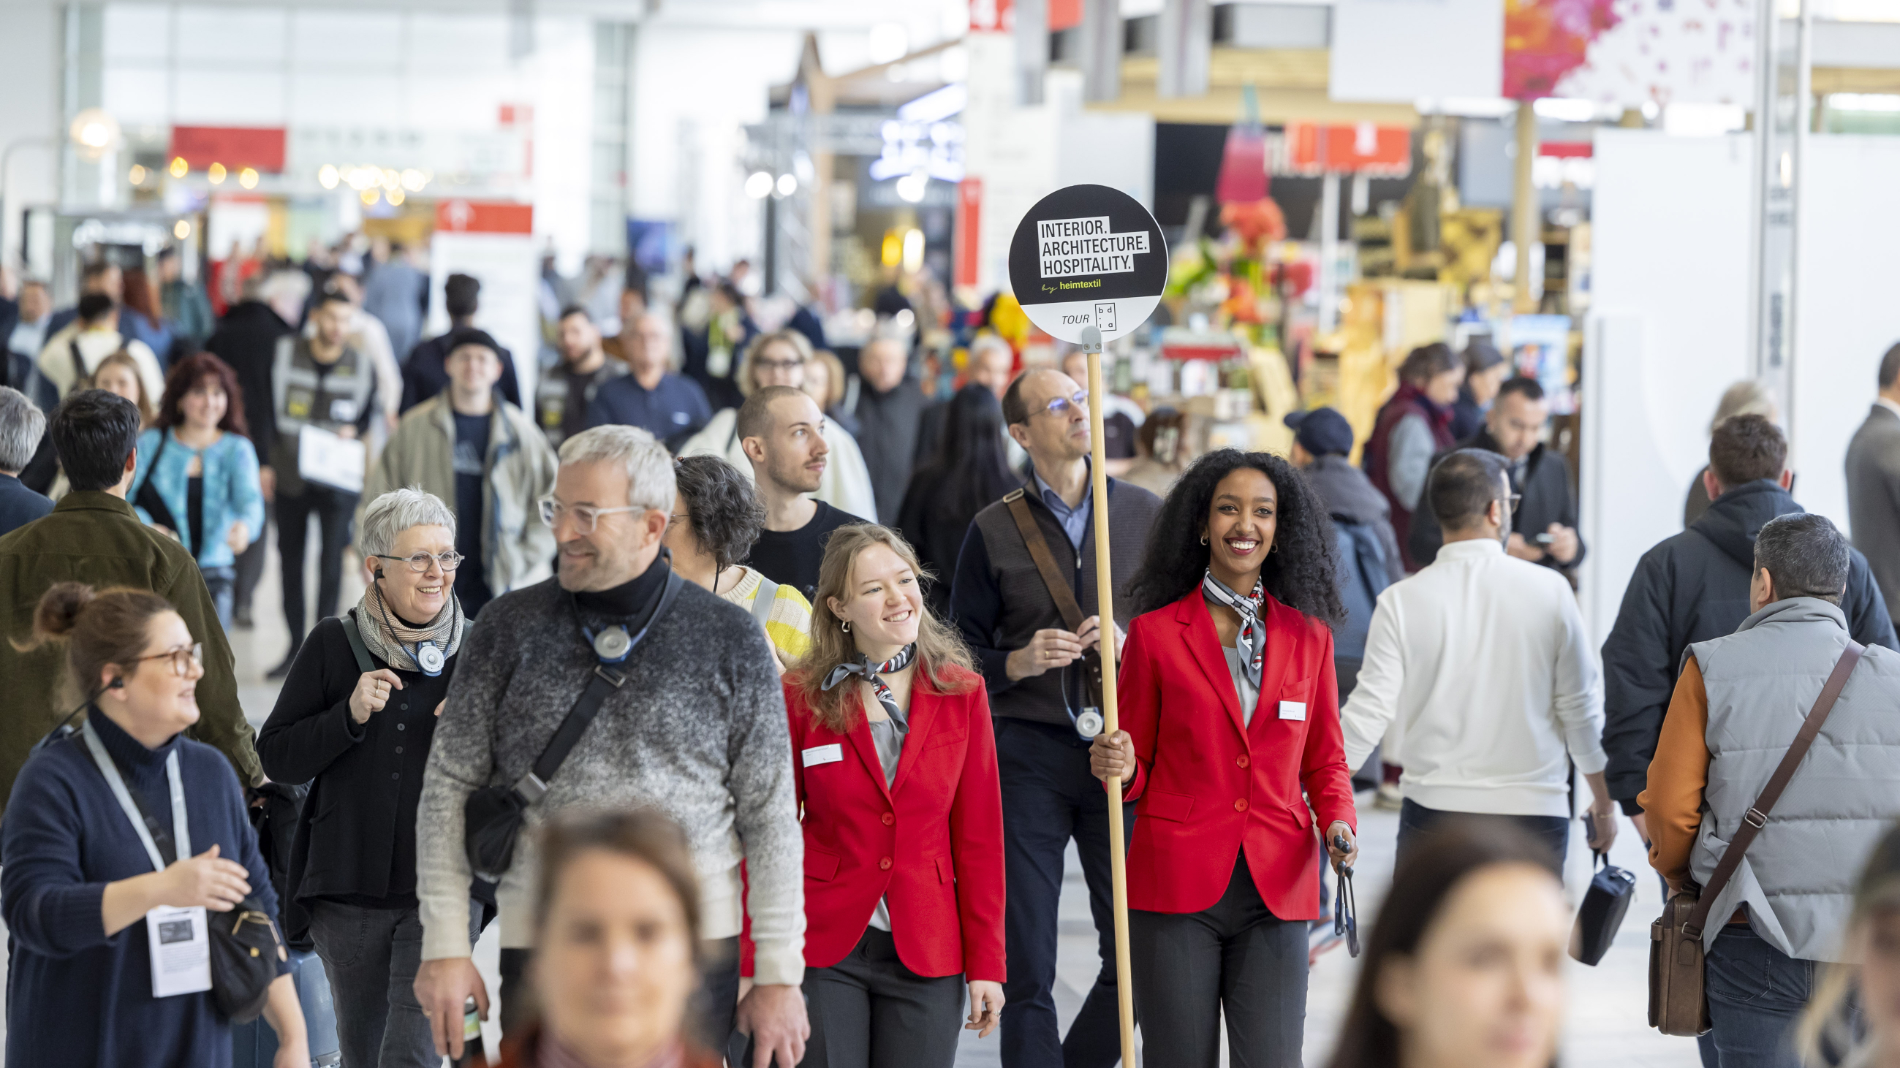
x=520 y=470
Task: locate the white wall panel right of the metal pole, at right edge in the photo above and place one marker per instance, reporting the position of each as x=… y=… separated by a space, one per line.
x=1850 y=313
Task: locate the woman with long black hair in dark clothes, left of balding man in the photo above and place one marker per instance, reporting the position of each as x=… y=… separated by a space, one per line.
x=966 y=474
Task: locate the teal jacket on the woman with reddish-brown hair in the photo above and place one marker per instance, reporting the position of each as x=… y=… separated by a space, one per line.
x=233 y=491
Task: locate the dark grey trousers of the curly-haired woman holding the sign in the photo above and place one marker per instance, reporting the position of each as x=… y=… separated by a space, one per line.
x=1236 y=955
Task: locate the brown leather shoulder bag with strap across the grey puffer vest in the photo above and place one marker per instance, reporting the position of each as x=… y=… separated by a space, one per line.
x=1679 y=1002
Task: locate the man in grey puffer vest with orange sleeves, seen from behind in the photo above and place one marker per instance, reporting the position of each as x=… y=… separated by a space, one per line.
x=1738 y=708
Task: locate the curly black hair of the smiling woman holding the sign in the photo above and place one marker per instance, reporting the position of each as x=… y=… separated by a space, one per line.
x=1304 y=569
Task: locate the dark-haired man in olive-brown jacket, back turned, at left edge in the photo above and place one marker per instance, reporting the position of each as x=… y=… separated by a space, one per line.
x=96 y=537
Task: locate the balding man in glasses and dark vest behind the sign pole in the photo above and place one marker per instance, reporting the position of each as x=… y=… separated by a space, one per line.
x=1044 y=706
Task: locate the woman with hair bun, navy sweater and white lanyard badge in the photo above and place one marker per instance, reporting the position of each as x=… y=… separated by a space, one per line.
x=86 y=879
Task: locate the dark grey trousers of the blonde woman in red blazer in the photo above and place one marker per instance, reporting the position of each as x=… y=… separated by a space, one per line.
x=871 y=1012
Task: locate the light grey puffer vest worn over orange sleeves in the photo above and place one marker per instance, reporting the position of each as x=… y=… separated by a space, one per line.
x=1798 y=877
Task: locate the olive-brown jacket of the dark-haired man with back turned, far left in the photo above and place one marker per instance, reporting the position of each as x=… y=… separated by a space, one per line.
x=96 y=539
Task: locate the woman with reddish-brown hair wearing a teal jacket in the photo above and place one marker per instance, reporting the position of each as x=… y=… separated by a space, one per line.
x=202 y=472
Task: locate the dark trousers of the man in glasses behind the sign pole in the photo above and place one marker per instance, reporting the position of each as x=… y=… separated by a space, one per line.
x=1050 y=797
